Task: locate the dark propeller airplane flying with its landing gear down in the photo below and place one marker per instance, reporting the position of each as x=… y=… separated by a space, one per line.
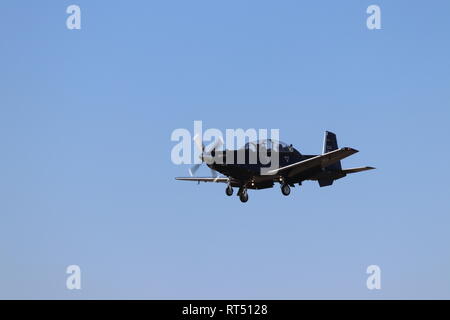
x=293 y=167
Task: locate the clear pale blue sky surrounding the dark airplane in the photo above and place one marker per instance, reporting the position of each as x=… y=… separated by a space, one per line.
x=86 y=176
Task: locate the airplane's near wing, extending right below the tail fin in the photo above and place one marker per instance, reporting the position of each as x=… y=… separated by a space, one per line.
x=323 y=160
